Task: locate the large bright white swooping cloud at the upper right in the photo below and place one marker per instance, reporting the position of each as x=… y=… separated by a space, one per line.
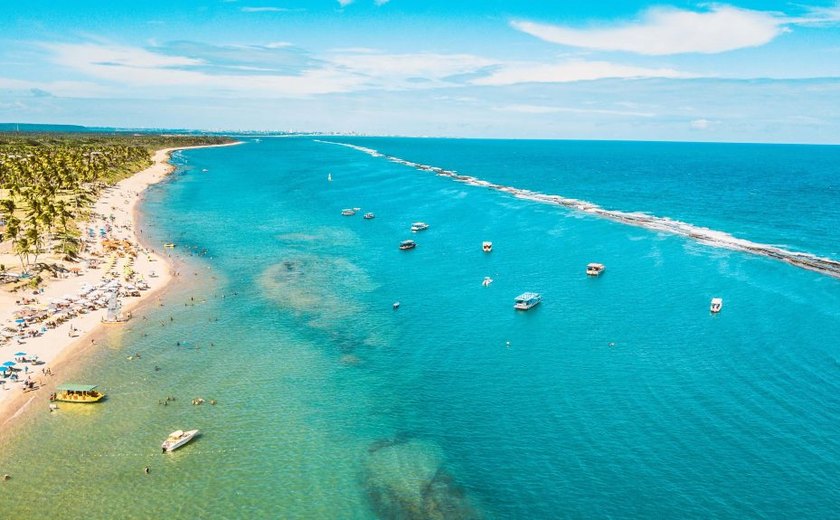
x=664 y=31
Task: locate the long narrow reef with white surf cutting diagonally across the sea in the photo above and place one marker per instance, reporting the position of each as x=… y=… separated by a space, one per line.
x=703 y=235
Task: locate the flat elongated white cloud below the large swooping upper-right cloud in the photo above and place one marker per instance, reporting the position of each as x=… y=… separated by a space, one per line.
x=574 y=70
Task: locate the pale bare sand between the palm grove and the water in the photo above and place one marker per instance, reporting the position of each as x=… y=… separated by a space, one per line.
x=56 y=346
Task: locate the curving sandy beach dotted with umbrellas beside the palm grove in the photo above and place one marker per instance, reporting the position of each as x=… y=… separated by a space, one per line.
x=114 y=220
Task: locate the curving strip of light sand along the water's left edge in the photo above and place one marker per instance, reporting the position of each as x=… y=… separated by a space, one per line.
x=58 y=347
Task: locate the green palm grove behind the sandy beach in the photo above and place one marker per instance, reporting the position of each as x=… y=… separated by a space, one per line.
x=49 y=181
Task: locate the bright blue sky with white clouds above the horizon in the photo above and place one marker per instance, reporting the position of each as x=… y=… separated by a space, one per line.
x=740 y=71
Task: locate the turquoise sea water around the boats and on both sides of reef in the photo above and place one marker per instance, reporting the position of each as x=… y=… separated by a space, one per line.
x=617 y=397
